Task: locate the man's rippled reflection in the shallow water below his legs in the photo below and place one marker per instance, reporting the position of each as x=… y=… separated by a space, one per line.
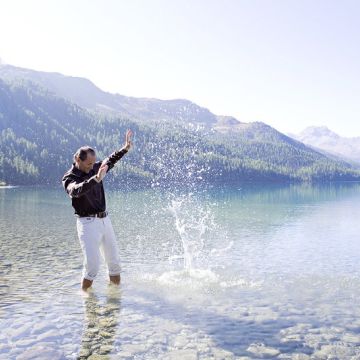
x=101 y=322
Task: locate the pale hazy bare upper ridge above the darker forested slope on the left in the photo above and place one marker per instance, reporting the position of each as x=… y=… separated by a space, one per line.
x=84 y=93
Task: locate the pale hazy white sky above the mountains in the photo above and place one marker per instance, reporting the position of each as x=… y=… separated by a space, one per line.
x=288 y=63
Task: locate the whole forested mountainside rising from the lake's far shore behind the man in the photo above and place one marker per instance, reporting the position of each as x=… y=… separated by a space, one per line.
x=40 y=130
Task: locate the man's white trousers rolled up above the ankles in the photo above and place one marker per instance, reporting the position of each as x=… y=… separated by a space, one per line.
x=97 y=237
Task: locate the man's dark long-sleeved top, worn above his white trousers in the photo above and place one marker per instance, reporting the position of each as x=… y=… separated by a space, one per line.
x=87 y=195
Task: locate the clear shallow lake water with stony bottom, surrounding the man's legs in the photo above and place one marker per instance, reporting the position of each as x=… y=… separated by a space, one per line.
x=247 y=272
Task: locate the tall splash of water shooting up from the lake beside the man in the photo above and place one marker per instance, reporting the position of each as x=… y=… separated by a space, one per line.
x=181 y=174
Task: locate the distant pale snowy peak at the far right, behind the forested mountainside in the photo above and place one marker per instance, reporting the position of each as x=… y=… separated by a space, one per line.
x=323 y=138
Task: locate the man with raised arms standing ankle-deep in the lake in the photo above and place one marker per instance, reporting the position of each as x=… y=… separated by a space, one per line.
x=84 y=184
